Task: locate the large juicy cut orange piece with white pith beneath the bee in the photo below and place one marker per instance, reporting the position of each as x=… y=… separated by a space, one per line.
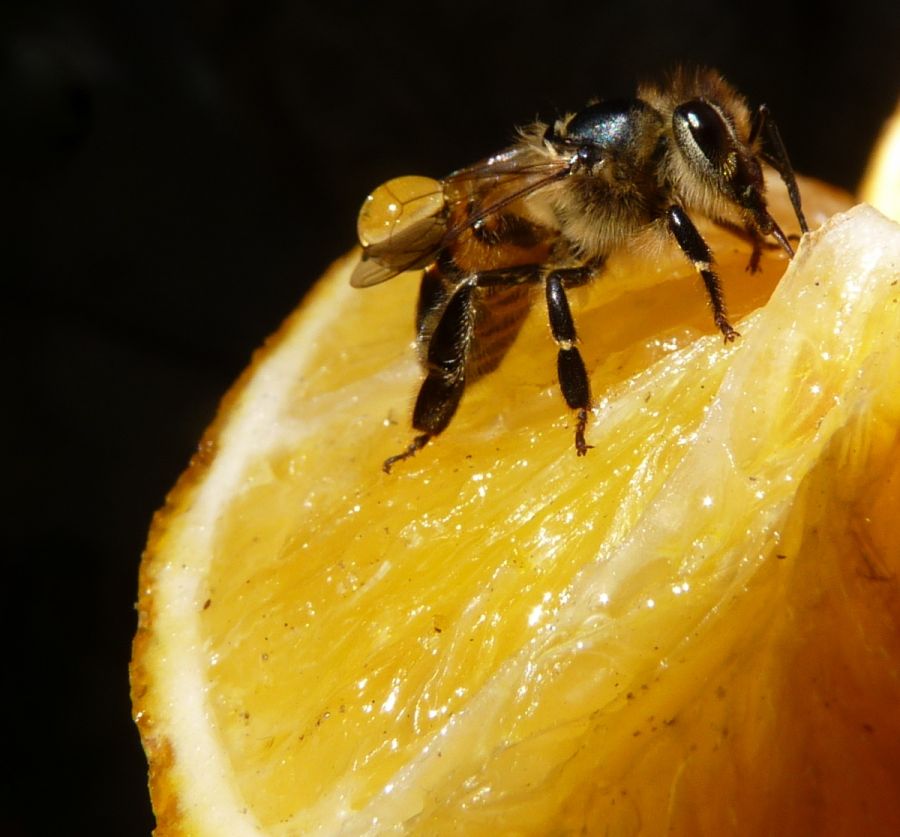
x=693 y=629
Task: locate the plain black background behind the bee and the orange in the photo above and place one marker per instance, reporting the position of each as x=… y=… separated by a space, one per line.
x=173 y=175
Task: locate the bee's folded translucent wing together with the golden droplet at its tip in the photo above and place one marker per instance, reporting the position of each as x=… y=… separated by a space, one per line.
x=406 y=222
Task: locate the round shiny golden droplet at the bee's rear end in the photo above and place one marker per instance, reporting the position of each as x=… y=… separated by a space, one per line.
x=396 y=206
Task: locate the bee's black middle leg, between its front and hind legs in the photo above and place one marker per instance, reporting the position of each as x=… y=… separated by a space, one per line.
x=573 y=380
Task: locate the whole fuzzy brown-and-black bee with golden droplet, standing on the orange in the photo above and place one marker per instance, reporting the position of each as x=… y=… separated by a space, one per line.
x=550 y=209
